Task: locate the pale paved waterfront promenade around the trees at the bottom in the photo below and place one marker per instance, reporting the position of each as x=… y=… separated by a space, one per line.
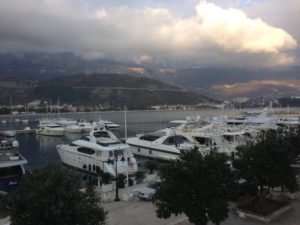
x=140 y=212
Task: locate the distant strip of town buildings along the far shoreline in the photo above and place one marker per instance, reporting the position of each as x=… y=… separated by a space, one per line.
x=39 y=106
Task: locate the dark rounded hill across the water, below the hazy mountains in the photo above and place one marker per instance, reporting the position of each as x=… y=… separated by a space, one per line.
x=114 y=90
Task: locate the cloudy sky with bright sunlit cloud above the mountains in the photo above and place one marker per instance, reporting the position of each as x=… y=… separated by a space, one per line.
x=190 y=33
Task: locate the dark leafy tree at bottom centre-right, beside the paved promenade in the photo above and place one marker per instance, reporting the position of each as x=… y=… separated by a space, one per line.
x=197 y=186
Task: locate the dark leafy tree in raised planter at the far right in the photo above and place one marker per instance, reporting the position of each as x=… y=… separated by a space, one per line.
x=266 y=162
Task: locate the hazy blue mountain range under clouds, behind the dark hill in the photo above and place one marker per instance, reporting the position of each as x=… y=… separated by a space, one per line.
x=219 y=83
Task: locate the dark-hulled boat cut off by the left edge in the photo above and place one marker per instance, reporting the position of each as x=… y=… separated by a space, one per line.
x=11 y=165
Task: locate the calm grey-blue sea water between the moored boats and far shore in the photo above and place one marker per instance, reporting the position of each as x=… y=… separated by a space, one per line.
x=40 y=150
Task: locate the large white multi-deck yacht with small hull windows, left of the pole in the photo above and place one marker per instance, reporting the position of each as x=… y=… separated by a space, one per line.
x=101 y=150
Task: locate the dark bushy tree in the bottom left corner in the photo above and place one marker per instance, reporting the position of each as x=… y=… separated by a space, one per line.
x=52 y=196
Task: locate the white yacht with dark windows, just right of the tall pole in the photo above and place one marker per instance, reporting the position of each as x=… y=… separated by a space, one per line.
x=163 y=144
